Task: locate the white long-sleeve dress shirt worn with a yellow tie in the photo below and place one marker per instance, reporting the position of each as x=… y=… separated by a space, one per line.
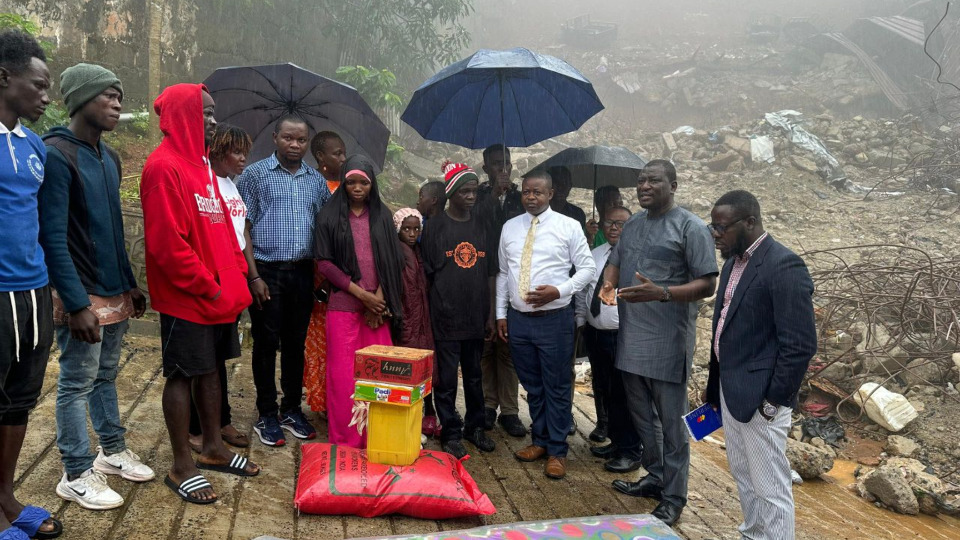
x=559 y=243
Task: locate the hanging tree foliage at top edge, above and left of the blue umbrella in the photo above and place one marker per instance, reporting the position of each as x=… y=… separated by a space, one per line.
x=412 y=36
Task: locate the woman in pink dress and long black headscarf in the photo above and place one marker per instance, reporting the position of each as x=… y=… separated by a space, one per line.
x=357 y=251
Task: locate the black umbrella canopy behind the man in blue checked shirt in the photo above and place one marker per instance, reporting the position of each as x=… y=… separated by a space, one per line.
x=255 y=97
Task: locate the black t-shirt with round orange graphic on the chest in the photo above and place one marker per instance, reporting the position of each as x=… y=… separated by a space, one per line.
x=459 y=258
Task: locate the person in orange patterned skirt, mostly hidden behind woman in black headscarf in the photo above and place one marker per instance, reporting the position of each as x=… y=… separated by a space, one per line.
x=328 y=149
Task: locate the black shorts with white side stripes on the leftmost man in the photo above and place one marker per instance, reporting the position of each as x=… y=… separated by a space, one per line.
x=21 y=371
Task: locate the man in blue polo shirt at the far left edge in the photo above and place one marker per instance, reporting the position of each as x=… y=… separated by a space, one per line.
x=26 y=309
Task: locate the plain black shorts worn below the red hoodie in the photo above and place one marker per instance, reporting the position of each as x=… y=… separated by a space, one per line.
x=191 y=349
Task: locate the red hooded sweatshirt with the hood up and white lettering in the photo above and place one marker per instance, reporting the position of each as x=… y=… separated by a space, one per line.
x=195 y=269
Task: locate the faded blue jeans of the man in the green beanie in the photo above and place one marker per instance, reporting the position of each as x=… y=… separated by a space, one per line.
x=88 y=373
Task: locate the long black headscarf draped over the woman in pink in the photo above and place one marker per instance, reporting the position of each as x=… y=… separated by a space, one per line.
x=334 y=239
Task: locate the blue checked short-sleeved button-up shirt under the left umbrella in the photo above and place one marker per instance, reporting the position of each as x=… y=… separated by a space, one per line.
x=282 y=208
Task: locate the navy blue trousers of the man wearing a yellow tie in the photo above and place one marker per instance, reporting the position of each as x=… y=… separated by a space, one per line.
x=542 y=352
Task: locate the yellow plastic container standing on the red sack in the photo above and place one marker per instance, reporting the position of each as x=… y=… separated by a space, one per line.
x=393 y=433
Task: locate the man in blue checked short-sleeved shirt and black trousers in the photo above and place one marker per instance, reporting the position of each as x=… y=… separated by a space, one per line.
x=283 y=195
